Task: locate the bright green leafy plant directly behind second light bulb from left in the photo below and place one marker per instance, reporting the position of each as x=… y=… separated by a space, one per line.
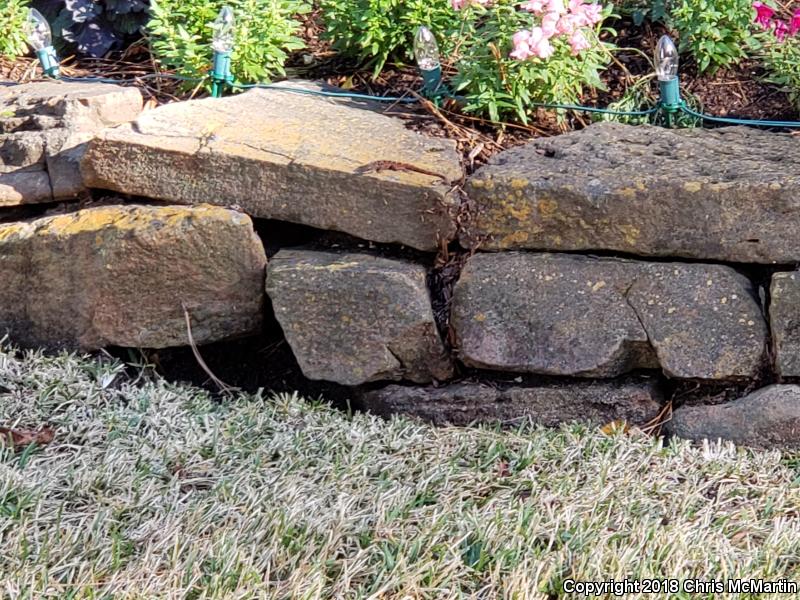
x=180 y=35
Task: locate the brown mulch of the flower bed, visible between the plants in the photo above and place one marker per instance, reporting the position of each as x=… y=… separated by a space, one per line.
x=739 y=91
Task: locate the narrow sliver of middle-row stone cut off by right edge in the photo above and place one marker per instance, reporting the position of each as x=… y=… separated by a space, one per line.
x=784 y=317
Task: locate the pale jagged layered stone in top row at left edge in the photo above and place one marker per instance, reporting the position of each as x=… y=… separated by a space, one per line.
x=44 y=128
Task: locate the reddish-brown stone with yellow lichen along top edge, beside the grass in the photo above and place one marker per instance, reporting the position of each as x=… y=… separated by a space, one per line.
x=118 y=275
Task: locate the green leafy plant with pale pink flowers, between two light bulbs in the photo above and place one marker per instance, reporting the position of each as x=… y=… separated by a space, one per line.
x=513 y=56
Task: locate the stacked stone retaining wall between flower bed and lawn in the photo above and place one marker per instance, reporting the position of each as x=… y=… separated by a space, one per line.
x=582 y=277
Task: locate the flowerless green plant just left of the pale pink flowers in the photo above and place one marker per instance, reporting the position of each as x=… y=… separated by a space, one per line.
x=375 y=30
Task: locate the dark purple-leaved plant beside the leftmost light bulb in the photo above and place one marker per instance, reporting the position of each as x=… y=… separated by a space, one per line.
x=93 y=27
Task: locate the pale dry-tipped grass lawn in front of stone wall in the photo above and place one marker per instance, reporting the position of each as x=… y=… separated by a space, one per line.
x=152 y=490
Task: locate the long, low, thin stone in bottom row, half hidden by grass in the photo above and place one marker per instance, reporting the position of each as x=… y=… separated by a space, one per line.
x=634 y=401
